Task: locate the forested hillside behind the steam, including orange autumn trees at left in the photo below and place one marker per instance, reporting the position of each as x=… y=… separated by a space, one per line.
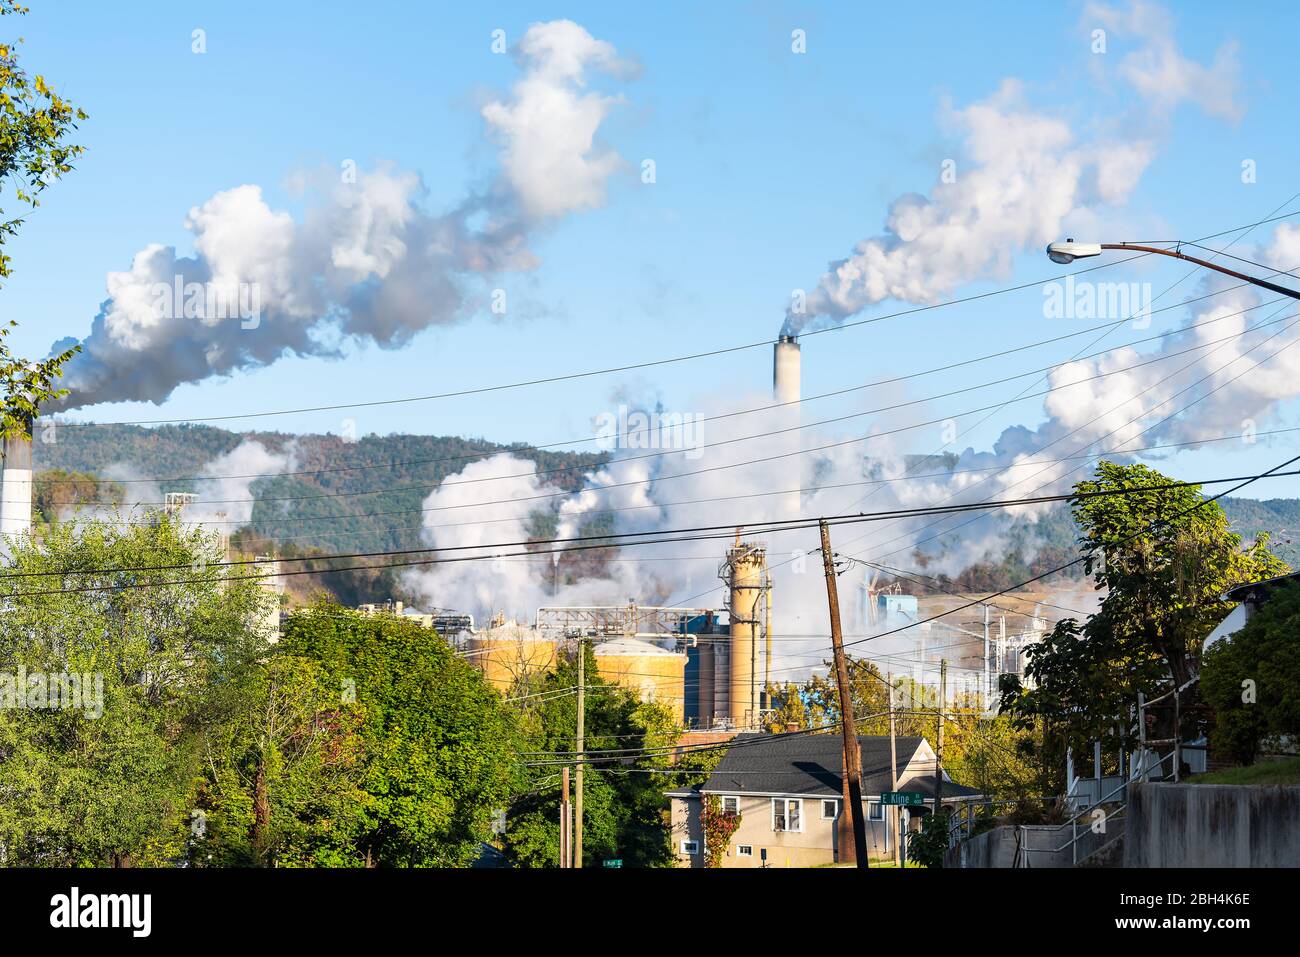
x=317 y=509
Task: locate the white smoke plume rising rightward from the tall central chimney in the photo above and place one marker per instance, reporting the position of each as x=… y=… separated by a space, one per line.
x=1022 y=179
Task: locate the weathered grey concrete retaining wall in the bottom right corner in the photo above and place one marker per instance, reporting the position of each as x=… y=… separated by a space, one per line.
x=1212 y=826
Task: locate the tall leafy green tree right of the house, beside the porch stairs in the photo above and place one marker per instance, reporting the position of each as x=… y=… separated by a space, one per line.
x=1164 y=565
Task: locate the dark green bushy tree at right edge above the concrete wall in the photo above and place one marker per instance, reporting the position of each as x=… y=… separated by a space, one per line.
x=1253 y=678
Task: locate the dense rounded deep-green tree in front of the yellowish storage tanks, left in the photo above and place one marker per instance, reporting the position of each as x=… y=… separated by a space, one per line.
x=440 y=744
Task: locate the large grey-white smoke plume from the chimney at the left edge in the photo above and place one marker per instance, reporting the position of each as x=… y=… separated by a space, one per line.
x=367 y=263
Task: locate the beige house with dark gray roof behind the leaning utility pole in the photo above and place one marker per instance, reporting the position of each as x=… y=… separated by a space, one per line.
x=788 y=794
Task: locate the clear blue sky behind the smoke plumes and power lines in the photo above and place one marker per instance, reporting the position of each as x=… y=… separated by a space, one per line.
x=769 y=166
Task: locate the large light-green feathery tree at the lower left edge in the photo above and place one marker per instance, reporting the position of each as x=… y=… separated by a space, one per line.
x=144 y=621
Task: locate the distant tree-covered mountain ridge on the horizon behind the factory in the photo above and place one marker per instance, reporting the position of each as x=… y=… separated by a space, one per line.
x=305 y=513
